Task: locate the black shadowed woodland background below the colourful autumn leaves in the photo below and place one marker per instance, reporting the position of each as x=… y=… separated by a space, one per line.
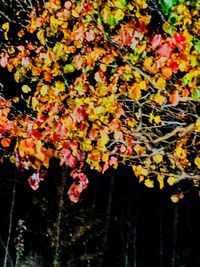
x=118 y=222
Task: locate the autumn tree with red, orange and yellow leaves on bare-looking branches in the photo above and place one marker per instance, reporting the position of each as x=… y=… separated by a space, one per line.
x=101 y=84
